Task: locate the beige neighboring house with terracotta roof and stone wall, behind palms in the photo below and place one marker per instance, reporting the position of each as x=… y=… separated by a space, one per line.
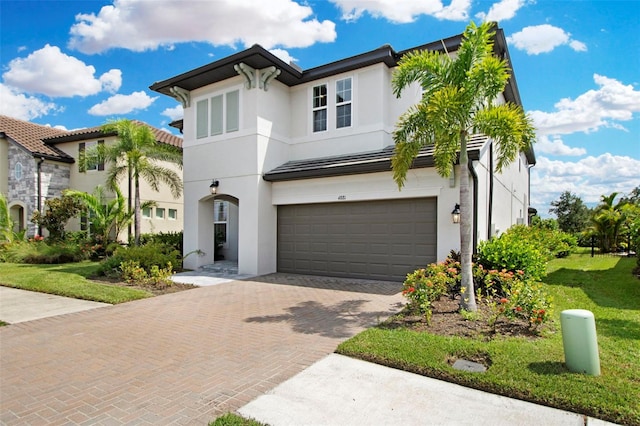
x=39 y=162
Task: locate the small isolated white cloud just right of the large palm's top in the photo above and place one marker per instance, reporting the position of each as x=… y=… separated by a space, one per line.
x=543 y=39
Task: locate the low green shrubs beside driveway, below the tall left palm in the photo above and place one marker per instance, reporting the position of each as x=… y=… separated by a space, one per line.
x=147 y=256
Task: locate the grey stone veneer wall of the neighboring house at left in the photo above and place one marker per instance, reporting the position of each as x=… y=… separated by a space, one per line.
x=55 y=178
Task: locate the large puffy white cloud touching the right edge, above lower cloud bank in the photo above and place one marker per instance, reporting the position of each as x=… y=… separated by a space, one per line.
x=611 y=102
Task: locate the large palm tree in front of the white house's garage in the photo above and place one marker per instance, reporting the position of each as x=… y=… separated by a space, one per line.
x=458 y=101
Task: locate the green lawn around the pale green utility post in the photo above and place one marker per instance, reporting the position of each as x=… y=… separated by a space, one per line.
x=534 y=370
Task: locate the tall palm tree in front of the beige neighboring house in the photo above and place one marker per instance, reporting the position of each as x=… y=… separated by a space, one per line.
x=137 y=155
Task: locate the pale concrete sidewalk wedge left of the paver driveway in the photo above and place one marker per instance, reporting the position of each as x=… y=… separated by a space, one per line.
x=21 y=305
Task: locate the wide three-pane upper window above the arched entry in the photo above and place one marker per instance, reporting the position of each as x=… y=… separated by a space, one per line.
x=218 y=114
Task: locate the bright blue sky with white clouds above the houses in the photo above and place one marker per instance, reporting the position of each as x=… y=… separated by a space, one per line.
x=74 y=64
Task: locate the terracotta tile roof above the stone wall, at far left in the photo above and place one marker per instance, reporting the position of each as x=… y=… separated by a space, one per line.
x=30 y=135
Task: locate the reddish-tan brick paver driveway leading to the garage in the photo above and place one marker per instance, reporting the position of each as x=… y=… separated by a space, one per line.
x=182 y=358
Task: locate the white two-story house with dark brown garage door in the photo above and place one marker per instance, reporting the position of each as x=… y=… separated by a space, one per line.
x=300 y=164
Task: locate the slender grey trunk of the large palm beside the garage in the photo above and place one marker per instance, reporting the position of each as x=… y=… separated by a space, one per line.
x=467 y=291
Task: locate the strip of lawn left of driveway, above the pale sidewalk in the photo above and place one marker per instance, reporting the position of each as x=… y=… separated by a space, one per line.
x=69 y=279
